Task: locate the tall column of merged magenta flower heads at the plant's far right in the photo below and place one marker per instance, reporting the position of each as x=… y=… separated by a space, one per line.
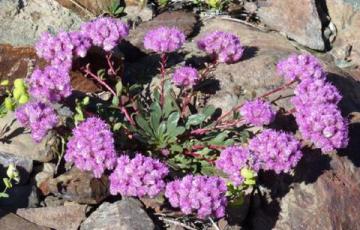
x=317 y=115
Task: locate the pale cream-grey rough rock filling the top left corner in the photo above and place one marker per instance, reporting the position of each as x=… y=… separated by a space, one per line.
x=22 y=22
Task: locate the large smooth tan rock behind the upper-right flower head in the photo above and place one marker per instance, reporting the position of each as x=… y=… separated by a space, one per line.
x=231 y=84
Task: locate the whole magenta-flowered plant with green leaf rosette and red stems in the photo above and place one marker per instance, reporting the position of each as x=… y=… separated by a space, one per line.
x=165 y=135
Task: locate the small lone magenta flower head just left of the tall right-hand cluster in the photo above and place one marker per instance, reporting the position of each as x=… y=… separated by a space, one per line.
x=257 y=112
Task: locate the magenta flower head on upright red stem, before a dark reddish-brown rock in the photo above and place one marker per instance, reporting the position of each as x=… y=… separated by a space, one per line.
x=164 y=39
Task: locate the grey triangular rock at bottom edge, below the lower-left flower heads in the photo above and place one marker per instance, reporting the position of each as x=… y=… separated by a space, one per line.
x=123 y=215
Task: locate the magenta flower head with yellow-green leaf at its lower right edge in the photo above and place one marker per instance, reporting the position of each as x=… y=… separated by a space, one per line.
x=232 y=160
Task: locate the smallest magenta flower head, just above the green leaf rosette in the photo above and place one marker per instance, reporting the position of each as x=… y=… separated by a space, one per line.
x=185 y=77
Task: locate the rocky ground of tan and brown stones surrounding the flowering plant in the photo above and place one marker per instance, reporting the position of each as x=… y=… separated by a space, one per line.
x=324 y=193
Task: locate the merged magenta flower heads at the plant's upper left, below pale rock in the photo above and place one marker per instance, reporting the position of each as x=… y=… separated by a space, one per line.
x=60 y=50
